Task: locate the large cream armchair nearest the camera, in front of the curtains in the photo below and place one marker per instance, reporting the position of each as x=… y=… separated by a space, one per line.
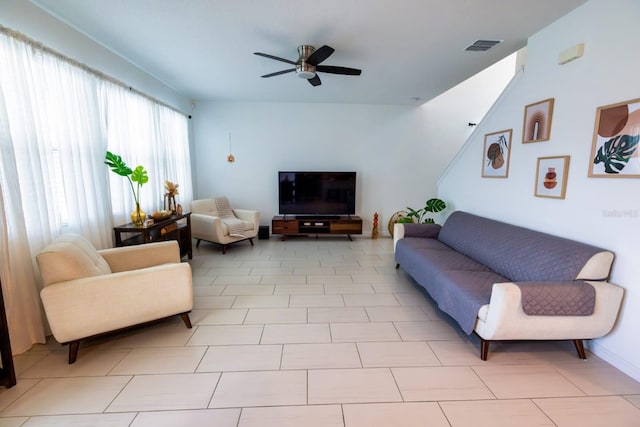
x=88 y=292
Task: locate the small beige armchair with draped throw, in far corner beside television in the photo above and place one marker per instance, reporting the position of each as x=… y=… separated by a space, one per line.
x=213 y=220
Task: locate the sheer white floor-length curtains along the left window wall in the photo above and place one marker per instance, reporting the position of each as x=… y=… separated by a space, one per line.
x=58 y=123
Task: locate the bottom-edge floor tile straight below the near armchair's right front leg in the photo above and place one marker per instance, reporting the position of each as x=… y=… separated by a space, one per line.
x=191 y=418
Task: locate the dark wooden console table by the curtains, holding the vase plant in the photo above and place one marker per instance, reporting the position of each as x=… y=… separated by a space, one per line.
x=176 y=227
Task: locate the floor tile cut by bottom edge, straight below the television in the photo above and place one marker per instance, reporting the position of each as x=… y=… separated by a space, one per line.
x=292 y=416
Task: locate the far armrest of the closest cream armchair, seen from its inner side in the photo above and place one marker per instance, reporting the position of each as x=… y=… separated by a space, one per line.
x=135 y=257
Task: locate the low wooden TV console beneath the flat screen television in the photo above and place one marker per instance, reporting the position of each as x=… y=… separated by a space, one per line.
x=292 y=225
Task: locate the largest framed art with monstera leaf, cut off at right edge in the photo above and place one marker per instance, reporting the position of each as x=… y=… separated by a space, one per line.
x=614 y=149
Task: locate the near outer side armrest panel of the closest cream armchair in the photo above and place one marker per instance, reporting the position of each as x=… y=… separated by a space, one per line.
x=92 y=305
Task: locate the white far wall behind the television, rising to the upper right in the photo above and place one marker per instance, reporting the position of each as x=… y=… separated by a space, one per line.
x=398 y=152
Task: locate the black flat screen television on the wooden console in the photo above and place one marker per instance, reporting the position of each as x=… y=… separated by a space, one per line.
x=317 y=193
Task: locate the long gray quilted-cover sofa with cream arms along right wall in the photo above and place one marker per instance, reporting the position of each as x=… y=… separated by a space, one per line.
x=505 y=282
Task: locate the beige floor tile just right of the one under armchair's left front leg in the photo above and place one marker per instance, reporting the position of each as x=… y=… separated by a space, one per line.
x=172 y=360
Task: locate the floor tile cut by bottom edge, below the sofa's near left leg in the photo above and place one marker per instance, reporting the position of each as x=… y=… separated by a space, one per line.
x=495 y=413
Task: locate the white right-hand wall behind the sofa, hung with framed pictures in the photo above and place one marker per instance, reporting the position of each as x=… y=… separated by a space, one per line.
x=600 y=211
